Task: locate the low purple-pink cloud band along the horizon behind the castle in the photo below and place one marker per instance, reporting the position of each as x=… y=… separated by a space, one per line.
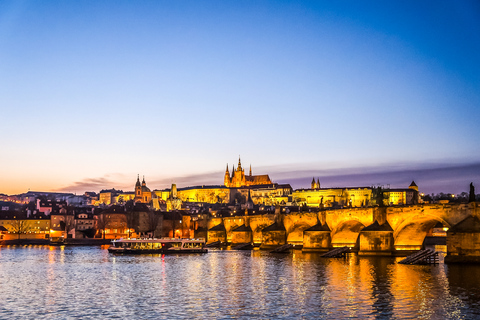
x=453 y=178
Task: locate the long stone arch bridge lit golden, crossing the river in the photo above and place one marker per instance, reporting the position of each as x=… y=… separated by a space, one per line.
x=372 y=230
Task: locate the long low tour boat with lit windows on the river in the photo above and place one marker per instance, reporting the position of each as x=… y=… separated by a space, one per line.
x=163 y=246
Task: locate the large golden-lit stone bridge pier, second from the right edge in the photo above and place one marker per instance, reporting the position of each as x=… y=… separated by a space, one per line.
x=376 y=239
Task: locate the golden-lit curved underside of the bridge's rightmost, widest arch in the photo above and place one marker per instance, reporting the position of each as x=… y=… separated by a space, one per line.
x=411 y=233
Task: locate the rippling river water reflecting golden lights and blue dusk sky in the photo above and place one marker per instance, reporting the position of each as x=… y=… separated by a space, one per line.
x=41 y=282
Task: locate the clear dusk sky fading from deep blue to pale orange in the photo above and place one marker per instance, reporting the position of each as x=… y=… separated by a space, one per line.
x=356 y=93
